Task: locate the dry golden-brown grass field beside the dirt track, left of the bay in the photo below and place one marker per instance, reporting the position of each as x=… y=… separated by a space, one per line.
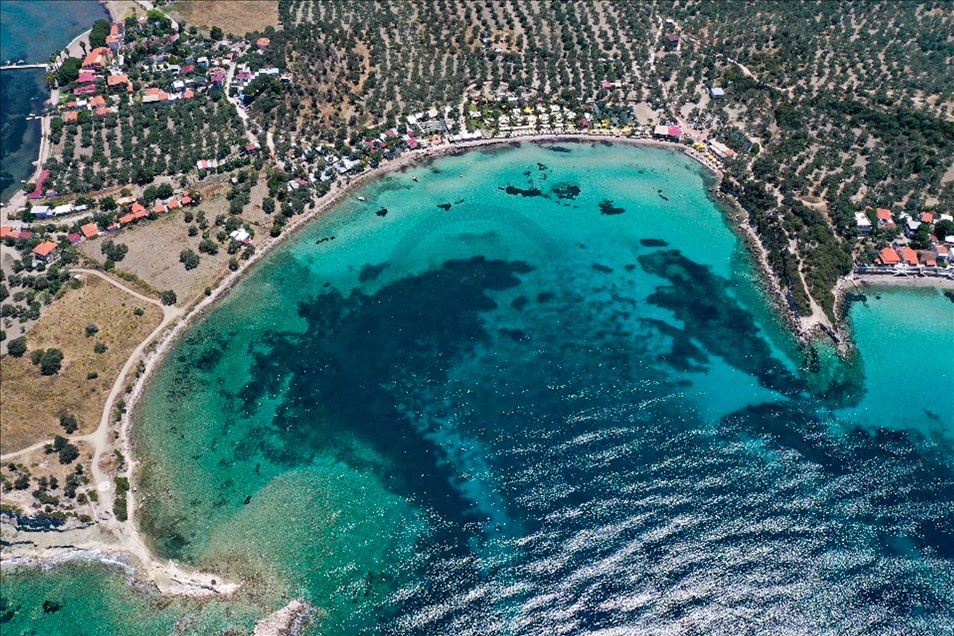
x=31 y=403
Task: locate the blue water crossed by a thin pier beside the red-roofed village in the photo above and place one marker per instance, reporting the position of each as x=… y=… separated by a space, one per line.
x=31 y=30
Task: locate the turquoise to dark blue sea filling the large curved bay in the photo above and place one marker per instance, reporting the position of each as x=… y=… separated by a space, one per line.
x=489 y=406
